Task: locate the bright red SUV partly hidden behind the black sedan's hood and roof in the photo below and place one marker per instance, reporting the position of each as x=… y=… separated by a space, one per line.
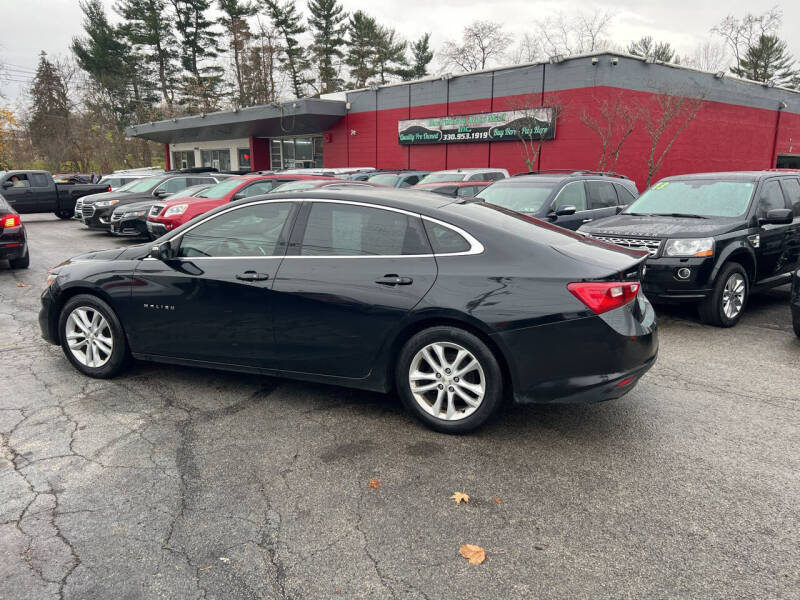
x=166 y=216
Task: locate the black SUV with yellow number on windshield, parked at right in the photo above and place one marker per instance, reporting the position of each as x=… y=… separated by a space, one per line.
x=712 y=237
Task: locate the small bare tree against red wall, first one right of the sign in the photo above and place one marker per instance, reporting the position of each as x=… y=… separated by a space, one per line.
x=613 y=121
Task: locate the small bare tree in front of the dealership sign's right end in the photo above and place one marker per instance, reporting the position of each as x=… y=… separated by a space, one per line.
x=531 y=121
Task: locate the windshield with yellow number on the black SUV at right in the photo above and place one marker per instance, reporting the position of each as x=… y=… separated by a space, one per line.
x=704 y=197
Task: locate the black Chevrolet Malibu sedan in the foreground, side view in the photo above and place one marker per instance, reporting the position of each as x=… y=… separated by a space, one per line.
x=453 y=305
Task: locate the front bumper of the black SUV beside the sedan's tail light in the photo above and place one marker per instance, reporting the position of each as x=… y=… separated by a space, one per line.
x=661 y=282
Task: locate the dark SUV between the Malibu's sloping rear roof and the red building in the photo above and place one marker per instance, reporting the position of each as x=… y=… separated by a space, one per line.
x=567 y=198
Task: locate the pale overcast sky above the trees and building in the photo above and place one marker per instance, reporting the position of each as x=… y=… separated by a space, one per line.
x=49 y=25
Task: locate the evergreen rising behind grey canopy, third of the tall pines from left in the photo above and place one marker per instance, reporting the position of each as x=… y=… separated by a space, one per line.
x=198 y=44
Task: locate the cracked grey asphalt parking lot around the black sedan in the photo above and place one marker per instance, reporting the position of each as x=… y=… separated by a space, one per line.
x=173 y=482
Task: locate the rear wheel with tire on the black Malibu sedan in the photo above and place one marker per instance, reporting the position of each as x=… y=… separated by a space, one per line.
x=449 y=379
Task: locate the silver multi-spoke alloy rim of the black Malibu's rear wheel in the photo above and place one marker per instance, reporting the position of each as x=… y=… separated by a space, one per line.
x=447 y=381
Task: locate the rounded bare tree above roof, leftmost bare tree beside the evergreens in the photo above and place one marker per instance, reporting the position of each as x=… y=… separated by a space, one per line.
x=482 y=42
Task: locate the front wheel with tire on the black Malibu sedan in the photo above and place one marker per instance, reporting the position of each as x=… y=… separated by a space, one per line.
x=92 y=337
